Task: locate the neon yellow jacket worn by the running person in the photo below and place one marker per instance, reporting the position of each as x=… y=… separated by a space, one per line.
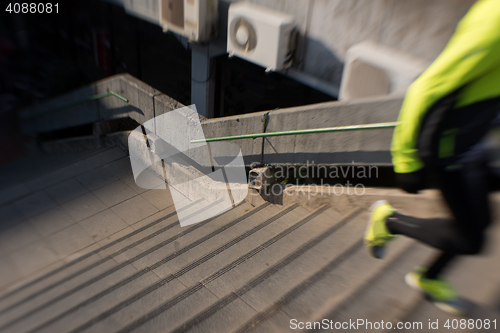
x=471 y=61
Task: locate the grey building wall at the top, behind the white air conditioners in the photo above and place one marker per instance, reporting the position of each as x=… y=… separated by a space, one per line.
x=418 y=27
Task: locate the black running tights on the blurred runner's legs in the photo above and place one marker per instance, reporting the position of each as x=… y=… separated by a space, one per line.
x=465 y=190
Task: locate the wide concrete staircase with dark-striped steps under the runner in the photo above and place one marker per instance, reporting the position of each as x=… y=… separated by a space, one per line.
x=253 y=268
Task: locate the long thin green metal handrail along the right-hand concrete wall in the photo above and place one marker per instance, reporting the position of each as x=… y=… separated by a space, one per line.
x=307 y=131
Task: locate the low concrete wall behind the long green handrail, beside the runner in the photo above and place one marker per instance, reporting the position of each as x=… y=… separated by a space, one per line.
x=360 y=147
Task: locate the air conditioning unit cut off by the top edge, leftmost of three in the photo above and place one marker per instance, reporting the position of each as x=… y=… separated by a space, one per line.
x=195 y=19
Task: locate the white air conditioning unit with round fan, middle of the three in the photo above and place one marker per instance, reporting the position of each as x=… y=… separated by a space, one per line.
x=260 y=35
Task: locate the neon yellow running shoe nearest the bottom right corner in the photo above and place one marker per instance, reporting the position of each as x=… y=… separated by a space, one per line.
x=437 y=291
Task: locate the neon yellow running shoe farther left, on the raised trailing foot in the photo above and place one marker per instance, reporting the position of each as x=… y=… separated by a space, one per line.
x=377 y=235
